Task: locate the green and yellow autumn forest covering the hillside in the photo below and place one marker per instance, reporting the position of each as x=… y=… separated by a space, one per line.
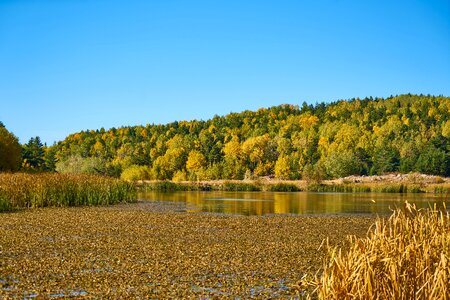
x=405 y=133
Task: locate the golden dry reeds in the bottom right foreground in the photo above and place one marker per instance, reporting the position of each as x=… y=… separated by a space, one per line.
x=405 y=257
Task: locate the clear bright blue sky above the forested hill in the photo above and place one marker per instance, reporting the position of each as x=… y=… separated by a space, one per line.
x=72 y=65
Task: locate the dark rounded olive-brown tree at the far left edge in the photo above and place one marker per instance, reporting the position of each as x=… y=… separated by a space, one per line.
x=10 y=151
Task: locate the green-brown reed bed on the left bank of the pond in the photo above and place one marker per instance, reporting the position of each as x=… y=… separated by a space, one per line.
x=40 y=190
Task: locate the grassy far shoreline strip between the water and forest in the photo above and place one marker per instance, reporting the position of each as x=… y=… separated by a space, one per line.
x=390 y=183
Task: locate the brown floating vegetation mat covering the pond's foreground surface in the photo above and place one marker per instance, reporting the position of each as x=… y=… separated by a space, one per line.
x=144 y=250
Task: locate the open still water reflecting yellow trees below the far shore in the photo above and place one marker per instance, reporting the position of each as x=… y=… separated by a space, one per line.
x=262 y=203
